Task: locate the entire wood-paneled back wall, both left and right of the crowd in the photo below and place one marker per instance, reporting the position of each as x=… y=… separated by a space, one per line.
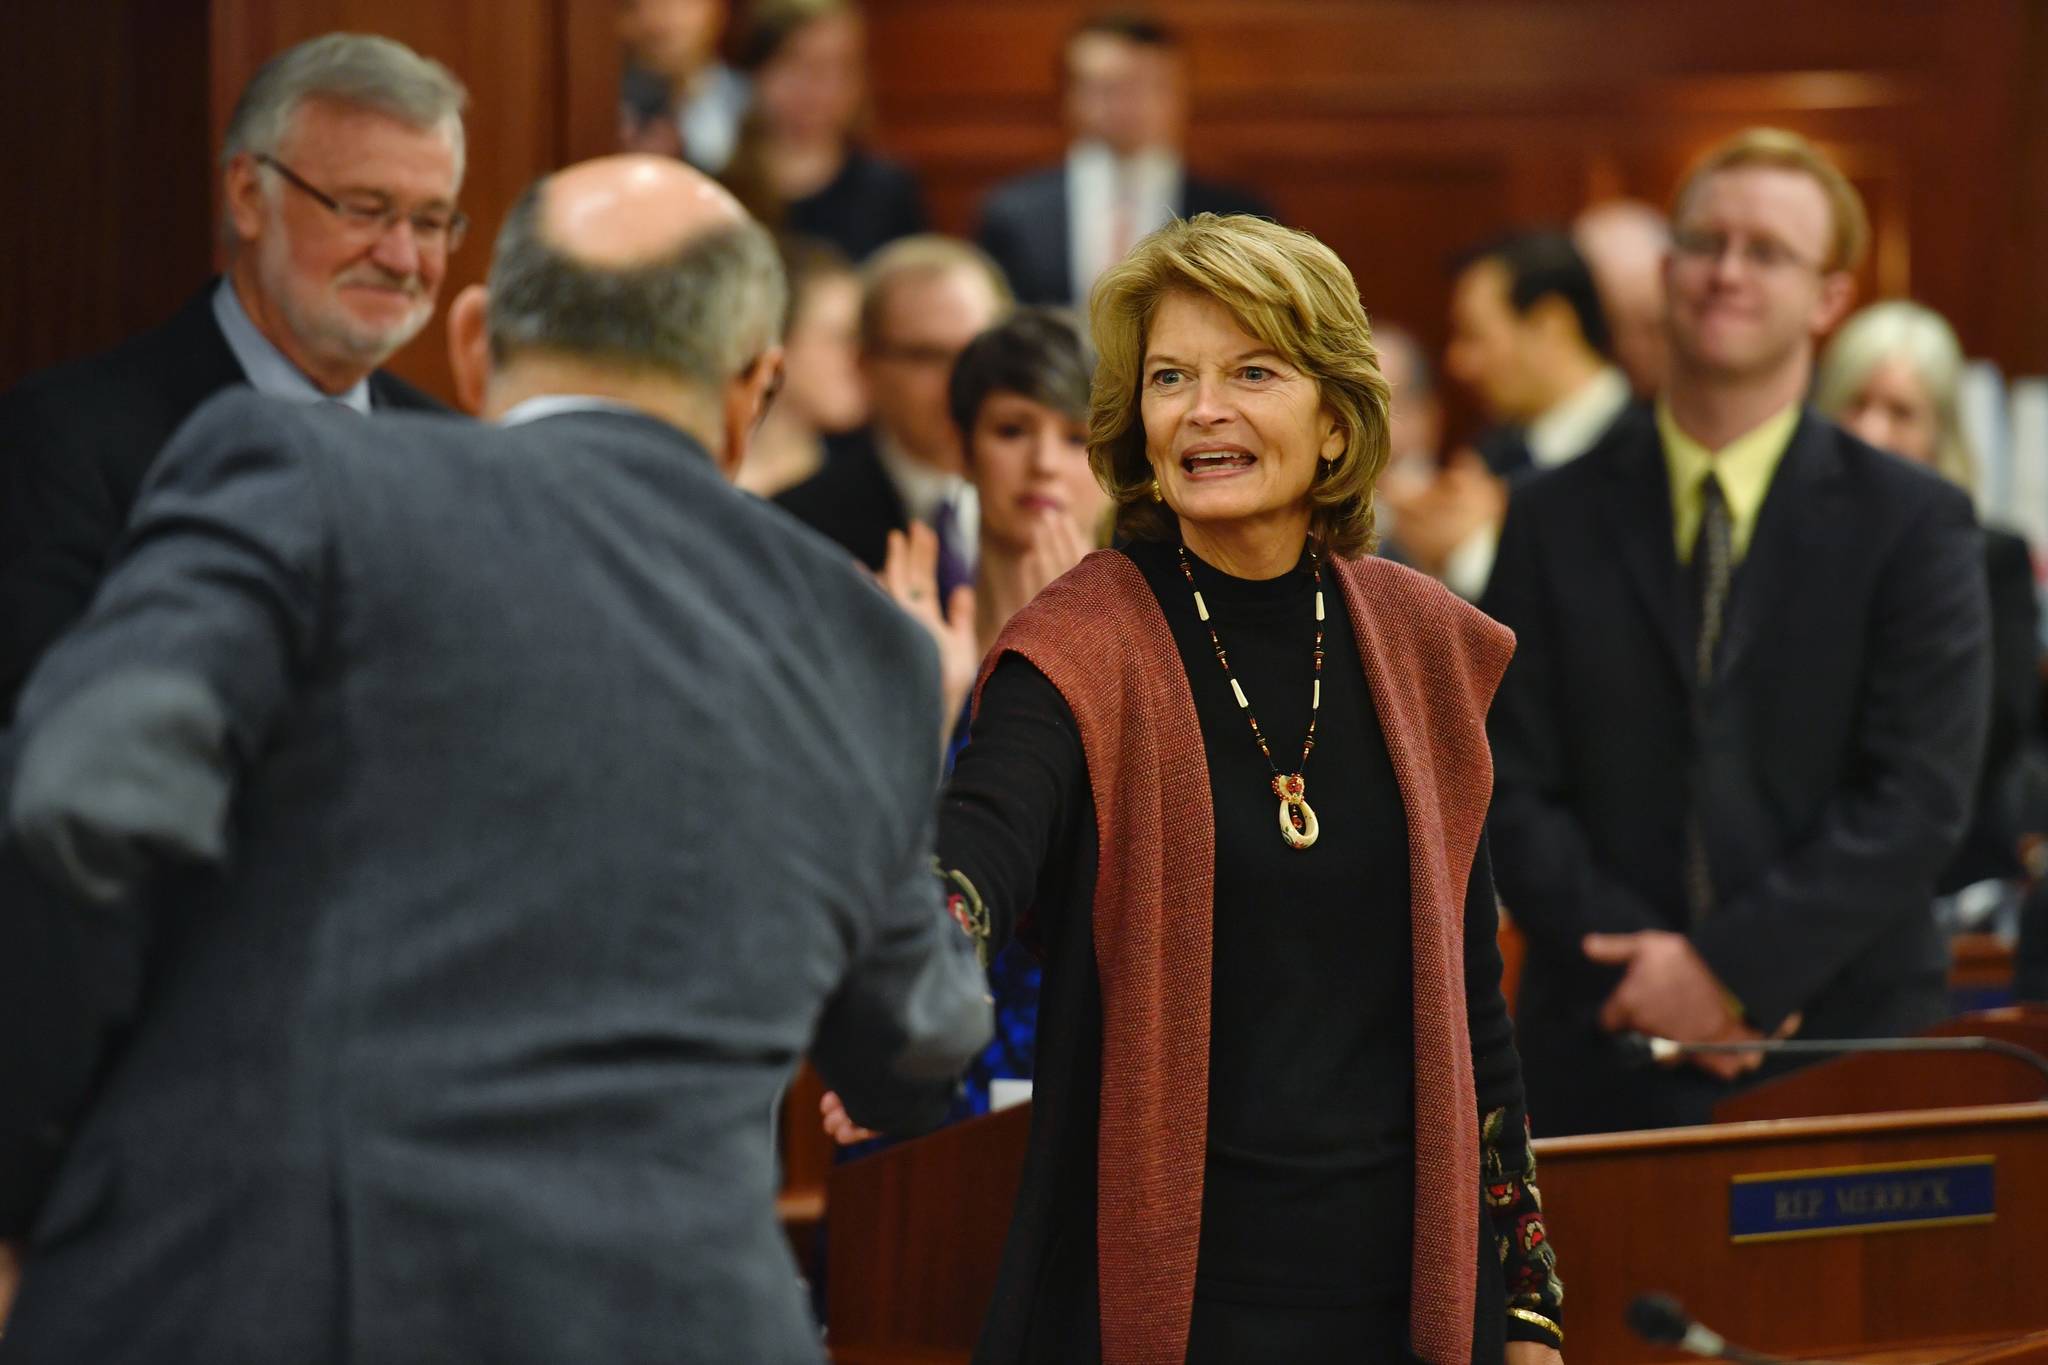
x=1940 y=107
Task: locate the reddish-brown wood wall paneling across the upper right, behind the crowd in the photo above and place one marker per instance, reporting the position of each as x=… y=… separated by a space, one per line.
x=1930 y=107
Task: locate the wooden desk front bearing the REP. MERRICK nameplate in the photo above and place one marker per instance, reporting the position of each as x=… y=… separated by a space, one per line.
x=1650 y=1213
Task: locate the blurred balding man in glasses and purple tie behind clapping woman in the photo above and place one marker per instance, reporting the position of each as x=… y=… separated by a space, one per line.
x=923 y=302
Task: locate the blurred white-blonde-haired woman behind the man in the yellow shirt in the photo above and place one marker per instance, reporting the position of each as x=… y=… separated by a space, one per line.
x=1893 y=378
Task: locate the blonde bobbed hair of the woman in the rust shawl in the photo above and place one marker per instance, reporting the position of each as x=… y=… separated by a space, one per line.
x=1291 y=294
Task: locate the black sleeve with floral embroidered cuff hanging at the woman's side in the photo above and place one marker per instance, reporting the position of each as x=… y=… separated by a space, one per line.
x=1535 y=1303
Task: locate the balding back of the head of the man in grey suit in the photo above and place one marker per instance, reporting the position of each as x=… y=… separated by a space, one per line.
x=636 y=263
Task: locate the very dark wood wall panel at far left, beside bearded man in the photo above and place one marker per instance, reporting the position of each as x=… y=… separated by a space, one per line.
x=108 y=224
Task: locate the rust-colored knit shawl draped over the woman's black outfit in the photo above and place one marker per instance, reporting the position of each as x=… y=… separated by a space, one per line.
x=1433 y=664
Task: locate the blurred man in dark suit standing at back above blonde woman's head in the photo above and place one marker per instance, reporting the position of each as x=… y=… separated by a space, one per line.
x=1125 y=93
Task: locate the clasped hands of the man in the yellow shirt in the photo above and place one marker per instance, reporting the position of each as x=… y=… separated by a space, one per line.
x=1668 y=992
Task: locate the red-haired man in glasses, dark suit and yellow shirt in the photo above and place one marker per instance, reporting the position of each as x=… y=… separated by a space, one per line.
x=1744 y=723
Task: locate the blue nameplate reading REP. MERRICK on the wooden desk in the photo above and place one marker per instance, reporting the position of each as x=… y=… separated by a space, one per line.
x=1848 y=1200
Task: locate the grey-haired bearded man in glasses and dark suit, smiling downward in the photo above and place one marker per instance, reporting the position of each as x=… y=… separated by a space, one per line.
x=341 y=165
